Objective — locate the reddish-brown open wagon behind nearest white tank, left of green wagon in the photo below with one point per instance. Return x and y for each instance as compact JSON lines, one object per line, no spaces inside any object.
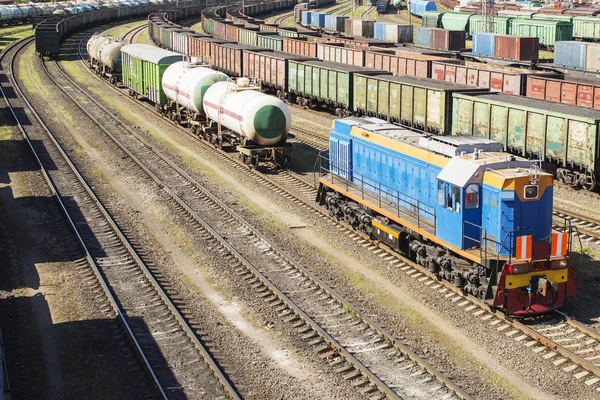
{"x":270,"y":68}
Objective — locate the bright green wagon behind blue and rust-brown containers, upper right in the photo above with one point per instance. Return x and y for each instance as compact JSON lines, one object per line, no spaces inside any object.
{"x":548,"y":32}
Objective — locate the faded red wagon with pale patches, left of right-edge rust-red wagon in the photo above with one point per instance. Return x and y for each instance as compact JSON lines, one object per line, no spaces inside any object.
{"x":488,"y":76}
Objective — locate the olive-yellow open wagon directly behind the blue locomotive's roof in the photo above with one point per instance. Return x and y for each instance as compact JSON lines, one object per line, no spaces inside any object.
{"x":421,"y":103}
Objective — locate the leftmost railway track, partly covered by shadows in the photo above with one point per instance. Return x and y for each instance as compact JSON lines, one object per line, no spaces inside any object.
{"x":144,"y":309}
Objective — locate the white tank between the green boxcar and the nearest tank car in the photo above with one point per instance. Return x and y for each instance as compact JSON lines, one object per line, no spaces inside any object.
{"x":186,"y":84}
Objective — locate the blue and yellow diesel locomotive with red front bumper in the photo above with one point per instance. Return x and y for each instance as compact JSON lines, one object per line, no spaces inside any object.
{"x":460,"y":206}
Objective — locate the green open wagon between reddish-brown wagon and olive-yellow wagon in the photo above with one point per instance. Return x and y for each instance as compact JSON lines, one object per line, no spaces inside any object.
{"x":326,"y":82}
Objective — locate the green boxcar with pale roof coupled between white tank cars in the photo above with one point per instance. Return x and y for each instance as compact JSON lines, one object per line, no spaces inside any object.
{"x":143,"y":67}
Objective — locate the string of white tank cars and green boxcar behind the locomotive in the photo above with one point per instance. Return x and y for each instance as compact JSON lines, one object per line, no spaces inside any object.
{"x":231,"y":114}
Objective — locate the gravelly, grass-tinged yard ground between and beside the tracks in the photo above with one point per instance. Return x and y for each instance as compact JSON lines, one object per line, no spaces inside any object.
{"x":63,"y":339}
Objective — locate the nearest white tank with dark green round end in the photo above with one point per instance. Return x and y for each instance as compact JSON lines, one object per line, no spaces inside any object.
{"x":263,"y":119}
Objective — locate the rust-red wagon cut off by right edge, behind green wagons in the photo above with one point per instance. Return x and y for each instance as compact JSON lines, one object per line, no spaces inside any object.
{"x":582,"y":92}
